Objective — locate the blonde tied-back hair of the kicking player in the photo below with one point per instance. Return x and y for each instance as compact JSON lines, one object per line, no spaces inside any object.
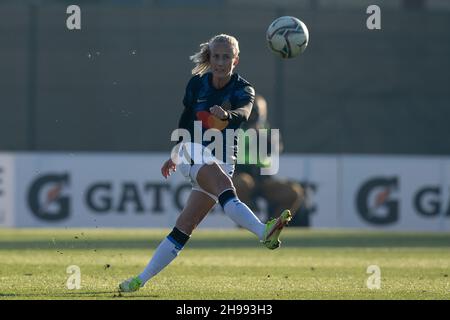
{"x":201,"y":58}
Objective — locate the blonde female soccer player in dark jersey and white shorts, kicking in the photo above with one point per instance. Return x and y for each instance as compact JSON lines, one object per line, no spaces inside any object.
{"x":220,"y":100}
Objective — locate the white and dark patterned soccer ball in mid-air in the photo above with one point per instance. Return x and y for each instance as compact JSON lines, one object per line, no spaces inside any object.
{"x":287,"y":36}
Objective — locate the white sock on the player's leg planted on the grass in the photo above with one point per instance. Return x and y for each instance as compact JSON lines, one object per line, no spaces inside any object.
{"x":167,"y":250}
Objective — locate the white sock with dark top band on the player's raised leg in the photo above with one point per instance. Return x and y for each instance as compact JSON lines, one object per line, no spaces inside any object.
{"x":242,"y":215}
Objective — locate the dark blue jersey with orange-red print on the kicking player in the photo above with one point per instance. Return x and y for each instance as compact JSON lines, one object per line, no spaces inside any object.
{"x":236,"y":98}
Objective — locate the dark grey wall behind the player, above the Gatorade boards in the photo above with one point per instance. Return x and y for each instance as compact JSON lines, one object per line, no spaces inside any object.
{"x":117,"y":84}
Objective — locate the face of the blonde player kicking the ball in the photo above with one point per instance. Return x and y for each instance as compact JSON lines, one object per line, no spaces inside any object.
{"x":222,"y":60}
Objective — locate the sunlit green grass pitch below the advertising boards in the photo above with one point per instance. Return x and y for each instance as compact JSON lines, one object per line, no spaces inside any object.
{"x":227,"y":265}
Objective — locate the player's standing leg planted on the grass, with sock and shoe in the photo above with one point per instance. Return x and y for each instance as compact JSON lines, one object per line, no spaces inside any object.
{"x":197,"y":207}
